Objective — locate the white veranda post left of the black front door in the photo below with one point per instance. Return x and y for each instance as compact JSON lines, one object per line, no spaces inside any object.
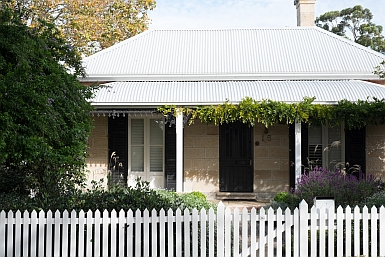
{"x":179,"y":151}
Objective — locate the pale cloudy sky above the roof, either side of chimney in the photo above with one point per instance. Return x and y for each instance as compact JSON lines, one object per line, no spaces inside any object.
{"x":207,"y":14}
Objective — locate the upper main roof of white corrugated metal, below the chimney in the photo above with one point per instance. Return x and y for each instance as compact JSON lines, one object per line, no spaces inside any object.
{"x":233,"y":54}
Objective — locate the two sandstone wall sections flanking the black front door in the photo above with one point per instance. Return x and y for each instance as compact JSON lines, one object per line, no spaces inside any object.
{"x":201,"y":159}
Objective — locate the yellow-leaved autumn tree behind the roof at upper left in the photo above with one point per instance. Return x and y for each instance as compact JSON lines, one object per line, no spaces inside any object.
{"x":89,"y":25}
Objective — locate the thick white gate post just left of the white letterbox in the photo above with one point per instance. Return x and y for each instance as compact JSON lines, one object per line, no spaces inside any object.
{"x":303,"y":228}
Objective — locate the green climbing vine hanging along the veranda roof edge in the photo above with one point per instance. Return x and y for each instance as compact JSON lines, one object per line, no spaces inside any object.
{"x":269,"y":112}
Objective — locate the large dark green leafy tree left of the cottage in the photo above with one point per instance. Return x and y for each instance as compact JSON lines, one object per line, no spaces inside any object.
{"x":44,"y":110}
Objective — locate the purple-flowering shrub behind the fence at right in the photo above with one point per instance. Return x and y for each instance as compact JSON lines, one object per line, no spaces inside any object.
{"x":347,"y":189}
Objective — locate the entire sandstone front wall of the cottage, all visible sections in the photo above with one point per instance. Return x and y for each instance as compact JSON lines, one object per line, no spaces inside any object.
{"x":201,"y":157}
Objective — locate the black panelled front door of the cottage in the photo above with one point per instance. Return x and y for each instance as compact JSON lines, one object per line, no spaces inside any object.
{"x":236,"y":171}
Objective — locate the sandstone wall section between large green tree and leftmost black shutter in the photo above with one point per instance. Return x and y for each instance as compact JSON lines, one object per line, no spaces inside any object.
{"x":97,"y":161}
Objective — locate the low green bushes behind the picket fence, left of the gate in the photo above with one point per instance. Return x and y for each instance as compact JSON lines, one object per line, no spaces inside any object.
{"x":141,"y":197}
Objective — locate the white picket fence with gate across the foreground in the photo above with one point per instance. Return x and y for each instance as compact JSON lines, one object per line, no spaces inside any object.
{"x":224,"y":233}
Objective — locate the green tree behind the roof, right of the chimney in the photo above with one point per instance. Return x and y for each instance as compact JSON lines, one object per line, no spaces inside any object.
{"x":357,"y":21}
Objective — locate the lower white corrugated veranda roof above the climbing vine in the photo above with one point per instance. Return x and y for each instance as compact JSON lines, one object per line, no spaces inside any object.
{"x":159,"y":93}
